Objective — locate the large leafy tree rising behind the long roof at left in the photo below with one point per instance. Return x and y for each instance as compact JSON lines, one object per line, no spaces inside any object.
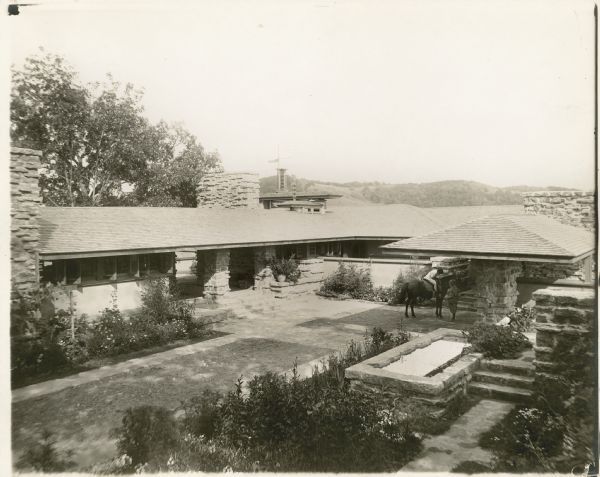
{"x":98,"y":148}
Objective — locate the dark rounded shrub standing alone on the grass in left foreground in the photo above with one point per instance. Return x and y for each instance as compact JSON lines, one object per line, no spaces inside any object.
{"x":147,"y":432}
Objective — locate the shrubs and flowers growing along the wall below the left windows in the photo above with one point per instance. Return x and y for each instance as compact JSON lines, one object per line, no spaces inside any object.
{"x":46,"y":341}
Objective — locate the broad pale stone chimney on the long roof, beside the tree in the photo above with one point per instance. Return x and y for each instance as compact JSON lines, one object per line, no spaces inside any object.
{"x":229,"y":190}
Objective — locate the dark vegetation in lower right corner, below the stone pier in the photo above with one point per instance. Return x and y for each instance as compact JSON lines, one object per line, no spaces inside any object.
{"x":555,"y":433}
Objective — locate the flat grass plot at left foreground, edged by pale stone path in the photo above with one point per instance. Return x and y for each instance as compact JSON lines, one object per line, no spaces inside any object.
{"x":82,"y":417}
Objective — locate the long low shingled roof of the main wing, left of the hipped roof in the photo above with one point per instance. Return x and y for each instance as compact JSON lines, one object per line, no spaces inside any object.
{"x":86,"y":231}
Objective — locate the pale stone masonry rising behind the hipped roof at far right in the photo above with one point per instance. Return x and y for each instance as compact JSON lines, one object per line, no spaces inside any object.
{"x":569,"y":207}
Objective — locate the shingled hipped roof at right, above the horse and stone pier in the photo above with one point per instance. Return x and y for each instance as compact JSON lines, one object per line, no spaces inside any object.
{"x":510,"y":237}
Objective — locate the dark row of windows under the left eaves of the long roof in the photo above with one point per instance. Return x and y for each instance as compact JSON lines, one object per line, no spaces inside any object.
{"x":88,"y":271}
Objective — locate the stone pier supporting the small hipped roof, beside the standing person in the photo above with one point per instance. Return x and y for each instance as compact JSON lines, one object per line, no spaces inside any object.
{"x":495,"y":287}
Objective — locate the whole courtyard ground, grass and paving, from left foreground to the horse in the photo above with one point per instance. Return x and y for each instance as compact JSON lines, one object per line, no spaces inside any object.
{"x":82,"y":409}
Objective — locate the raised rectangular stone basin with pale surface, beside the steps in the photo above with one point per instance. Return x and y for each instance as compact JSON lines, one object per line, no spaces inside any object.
{"x":403,"y":370}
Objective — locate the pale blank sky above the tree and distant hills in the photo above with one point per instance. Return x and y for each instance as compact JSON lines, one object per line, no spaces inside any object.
{"x":393,"y":91}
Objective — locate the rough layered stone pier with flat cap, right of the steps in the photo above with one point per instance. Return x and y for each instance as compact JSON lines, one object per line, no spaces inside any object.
{"x":564,"y":316}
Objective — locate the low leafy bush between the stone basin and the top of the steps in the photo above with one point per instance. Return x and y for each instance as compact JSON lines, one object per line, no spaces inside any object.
{"x":500,"y":342}
